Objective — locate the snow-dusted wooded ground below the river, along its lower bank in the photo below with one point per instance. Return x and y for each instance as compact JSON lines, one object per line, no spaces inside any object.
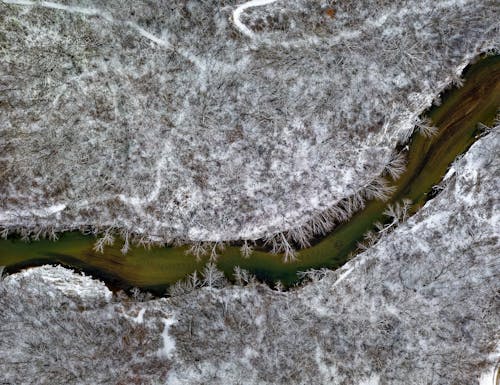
{"x":420,"y":307}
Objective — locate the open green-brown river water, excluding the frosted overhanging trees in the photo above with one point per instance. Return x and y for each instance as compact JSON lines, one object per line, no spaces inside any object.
{"x":428,"y":159}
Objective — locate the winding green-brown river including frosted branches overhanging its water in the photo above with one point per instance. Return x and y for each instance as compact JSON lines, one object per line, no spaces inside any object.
{"x":426,"y":159}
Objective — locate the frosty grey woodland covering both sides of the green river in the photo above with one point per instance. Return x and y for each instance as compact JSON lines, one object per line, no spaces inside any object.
{"x":198,"y":122}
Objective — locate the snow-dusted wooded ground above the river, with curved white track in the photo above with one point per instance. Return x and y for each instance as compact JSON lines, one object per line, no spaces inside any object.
{"x":214,"y":120}
